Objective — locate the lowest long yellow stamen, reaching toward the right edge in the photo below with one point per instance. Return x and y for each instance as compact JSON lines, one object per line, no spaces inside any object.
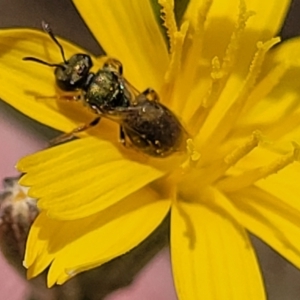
{"x":248,"y":178}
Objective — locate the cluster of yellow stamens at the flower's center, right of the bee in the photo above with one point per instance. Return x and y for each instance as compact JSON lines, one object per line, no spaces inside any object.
{"x":210,"y":110}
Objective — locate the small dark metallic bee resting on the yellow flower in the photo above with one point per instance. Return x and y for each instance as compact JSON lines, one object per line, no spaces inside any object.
{"x":145,"y":123}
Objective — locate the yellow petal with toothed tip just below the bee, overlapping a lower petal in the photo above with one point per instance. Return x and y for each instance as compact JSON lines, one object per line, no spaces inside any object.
{"x":82,"y":177}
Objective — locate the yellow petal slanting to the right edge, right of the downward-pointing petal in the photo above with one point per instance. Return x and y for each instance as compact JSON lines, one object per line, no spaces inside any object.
{"x":272,"y":220}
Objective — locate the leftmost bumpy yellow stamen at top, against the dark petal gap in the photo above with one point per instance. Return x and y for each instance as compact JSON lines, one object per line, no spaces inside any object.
{"x":168,"y":16}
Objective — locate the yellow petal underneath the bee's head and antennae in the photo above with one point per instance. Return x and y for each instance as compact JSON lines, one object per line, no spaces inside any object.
{"x":30,"y":87}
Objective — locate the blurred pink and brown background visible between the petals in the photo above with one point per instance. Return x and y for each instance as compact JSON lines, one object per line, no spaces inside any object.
{"x":20,"y":135}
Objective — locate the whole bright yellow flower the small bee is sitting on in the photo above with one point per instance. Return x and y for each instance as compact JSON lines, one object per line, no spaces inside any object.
{"x":238,"y":99}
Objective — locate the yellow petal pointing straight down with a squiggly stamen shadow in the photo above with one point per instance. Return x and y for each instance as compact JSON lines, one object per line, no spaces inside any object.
{"x":212,"y":256}
